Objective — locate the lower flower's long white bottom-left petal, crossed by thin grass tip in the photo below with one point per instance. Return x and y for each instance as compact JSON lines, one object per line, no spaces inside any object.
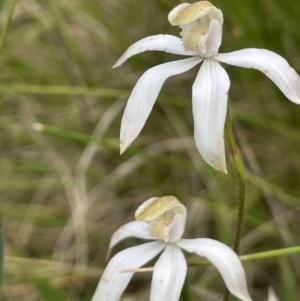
{"x":112,"y":283}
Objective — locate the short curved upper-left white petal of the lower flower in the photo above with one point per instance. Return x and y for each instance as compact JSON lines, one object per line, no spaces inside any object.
{"x":131,"y":229}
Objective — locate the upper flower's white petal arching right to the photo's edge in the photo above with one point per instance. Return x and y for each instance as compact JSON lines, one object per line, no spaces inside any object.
{"x":274,"y":66}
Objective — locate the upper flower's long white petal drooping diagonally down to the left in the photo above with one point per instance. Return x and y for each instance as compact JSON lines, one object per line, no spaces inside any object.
{"x":144,"y":94}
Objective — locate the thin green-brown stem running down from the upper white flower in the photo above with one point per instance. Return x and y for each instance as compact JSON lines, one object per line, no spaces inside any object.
{"x":241,"y":174}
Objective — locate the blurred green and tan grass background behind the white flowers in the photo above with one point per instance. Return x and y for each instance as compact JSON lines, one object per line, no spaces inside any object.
{"x":64,"y":187}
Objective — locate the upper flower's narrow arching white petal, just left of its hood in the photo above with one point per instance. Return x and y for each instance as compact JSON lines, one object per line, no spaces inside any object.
{"x":161,"y":42}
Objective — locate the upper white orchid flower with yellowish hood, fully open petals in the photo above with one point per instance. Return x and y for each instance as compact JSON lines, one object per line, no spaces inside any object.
{"x":201,"y":37}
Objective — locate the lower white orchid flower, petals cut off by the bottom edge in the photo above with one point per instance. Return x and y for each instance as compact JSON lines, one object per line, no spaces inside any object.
{"x":163,"y":219}
